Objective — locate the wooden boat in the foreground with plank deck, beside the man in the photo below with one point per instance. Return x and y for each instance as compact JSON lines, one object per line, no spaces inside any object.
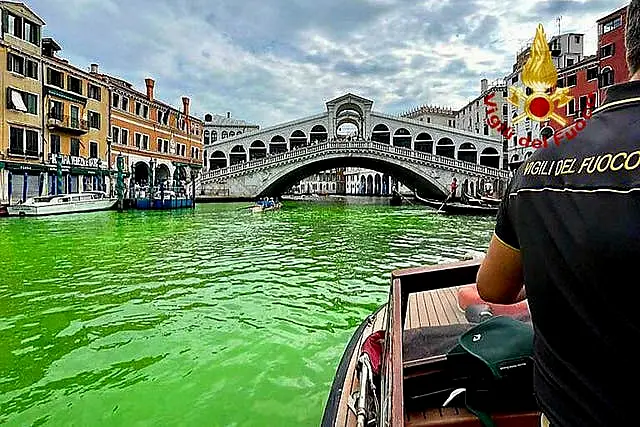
{"x":396,"y":369}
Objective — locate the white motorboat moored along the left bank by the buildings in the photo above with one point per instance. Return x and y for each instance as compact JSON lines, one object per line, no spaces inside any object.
{"x":63,"y":203}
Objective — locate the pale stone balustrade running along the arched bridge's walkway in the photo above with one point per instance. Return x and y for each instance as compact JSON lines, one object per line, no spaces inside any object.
{"x":348,"y":147}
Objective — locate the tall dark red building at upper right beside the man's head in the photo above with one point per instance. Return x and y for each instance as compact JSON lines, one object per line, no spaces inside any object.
{"x":612,"y":53}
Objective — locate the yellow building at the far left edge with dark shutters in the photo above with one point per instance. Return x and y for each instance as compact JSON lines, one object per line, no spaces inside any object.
{"x":23,"y":170}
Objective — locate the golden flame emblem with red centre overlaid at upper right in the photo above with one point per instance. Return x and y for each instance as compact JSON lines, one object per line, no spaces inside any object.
{"x":539,"y":74}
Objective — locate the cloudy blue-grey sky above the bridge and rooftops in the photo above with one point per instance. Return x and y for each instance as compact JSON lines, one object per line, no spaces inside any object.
{"x":269,"y":61}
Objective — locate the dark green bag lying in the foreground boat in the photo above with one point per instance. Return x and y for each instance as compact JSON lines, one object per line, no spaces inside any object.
{"x":497,"y":356}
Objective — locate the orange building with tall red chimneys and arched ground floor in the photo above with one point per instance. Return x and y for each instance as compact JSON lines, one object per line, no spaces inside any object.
{"x":159,"y":144}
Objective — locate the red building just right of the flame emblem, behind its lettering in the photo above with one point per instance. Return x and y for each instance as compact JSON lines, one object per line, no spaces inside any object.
{"x":582,"y":79}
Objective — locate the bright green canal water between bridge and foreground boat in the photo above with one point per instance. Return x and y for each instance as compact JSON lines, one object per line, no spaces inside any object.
{"x":211,"y":317}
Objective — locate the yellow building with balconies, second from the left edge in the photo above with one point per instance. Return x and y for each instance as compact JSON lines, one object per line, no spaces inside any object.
{"x":76,"y":125}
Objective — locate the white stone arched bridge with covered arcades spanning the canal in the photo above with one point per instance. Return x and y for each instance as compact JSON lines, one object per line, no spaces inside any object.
{"x":422,"y":156}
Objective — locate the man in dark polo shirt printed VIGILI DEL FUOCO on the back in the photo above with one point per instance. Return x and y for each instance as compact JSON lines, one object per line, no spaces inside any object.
{"x":569,"y":229}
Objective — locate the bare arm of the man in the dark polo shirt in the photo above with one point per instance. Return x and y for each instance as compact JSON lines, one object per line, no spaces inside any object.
{"x":500,"y":278}
